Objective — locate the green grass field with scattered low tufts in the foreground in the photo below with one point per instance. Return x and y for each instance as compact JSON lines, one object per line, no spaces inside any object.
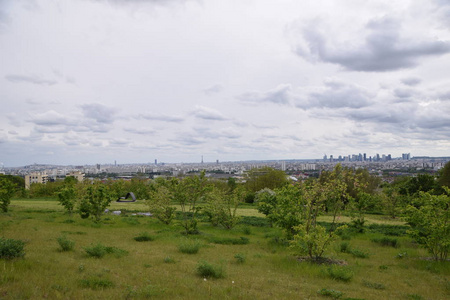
{"x":261,"y":268}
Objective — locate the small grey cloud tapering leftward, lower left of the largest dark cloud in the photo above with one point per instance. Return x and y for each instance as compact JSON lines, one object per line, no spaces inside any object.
{"x":280,"y":95}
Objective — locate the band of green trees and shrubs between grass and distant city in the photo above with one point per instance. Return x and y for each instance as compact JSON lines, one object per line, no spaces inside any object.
{"x":423,"y":201}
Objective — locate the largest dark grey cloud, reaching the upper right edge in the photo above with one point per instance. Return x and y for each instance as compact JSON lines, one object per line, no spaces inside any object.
{"x":383,"y":48}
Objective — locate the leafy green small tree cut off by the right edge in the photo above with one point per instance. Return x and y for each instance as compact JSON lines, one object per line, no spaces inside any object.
{"x":430,"y":224}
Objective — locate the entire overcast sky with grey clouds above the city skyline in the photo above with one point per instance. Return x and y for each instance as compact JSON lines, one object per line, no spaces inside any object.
{"x":94,"y":81}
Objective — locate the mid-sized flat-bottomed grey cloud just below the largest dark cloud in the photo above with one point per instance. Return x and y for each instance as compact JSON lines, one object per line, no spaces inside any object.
{"x":336,"y":94}
